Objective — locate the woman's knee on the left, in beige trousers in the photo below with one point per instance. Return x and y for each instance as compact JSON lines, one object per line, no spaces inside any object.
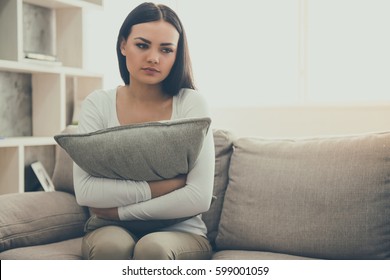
{"x":108,"y":243}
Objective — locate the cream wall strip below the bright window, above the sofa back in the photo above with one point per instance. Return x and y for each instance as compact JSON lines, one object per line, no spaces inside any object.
{"x":302,"y":121}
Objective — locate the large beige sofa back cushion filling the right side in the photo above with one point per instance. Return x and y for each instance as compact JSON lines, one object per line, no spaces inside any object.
{"x":322,"y":198}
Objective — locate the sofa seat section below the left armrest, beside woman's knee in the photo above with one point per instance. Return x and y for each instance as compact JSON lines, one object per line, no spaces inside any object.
{"x":64,"y":250}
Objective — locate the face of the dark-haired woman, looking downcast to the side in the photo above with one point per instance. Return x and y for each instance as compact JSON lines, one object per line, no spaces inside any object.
{"x":150,"y":51}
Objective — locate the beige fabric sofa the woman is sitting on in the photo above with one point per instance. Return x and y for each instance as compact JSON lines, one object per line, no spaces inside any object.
{"x":324,"y":198}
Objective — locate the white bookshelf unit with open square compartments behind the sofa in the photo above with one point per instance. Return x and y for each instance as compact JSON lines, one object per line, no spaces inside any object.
{"x":55,"y":86}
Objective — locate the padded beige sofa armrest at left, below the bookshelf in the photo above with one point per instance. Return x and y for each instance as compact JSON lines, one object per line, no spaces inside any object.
{"x":35,"y":218}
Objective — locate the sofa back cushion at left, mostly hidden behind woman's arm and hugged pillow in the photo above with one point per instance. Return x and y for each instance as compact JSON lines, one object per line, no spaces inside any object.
{"x":63,"y":168}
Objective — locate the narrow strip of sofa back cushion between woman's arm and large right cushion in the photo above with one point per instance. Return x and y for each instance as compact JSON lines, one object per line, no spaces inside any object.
{"x":223,"y":141}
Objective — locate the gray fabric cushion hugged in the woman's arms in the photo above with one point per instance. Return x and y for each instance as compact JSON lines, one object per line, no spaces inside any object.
{"x":148,"y":151}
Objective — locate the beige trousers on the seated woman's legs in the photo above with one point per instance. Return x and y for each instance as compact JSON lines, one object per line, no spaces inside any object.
{"x":113,"y":242}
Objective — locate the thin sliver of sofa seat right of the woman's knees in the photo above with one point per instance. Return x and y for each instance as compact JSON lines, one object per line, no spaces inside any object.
{"x":253,"y":255}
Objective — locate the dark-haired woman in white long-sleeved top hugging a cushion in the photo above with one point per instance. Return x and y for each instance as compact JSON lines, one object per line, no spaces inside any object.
{"x":155,"y":66}
